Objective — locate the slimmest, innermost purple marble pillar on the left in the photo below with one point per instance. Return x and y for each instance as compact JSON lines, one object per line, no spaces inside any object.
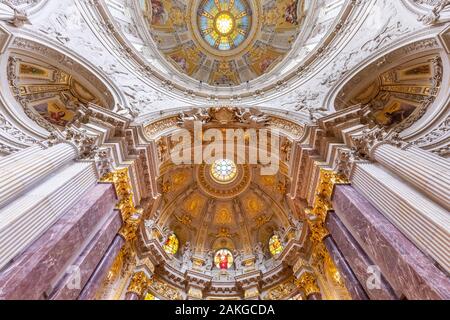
{"x":95,"y":282}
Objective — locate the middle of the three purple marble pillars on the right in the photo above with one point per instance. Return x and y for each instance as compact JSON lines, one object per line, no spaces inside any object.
{"x":357,"y":260}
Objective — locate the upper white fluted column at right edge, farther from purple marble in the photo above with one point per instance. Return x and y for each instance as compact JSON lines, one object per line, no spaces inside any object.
{"x":420,"y":168}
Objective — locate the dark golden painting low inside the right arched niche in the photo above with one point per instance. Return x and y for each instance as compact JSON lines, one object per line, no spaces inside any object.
{"x":394,"y":113}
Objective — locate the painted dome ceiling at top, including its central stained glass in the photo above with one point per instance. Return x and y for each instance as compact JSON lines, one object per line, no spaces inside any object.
{"x":224,"y":42}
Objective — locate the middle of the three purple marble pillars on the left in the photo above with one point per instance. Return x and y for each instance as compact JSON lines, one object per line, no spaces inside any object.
{"x":88,"y":261}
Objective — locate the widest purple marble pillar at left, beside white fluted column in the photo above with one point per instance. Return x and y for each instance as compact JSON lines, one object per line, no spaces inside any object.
{"x":29,"y":276}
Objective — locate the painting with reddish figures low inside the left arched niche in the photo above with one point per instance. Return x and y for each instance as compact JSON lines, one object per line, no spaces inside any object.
{"x":54,"y":111}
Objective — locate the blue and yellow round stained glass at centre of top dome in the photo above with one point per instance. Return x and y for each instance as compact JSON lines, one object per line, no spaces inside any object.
{"x":224,"y":24}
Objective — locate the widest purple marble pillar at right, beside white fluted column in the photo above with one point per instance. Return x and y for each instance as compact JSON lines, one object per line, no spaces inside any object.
{"x":405,"y":267}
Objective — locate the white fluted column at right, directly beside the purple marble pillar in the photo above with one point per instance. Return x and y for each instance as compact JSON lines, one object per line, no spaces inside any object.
{"x":422,"y":220}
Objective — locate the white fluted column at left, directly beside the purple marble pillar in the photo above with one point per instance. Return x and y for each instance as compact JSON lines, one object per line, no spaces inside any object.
{"x":32,"y":213}
